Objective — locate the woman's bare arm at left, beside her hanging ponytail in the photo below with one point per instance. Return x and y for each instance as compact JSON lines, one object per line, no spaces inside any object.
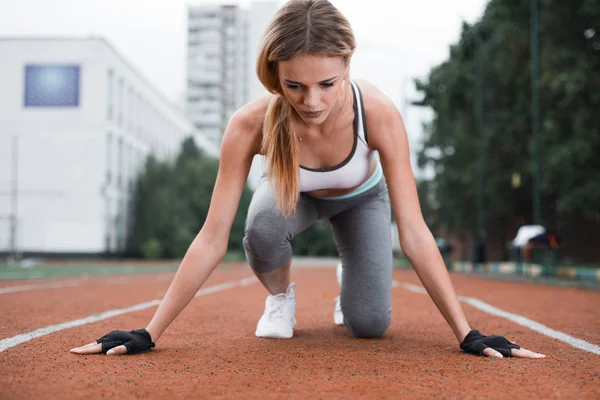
{"x":240,"y":143}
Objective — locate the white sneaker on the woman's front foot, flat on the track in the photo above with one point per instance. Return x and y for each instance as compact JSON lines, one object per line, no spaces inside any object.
{"x":279,"y":318}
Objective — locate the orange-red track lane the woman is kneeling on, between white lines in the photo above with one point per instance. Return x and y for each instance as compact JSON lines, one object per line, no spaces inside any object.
{"x":210,"y":350}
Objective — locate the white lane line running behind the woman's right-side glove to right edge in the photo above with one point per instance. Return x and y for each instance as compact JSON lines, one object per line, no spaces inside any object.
{"x":518,"y":319}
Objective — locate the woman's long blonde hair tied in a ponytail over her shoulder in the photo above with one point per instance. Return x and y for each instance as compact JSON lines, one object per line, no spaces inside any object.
{"x":300,"y":27}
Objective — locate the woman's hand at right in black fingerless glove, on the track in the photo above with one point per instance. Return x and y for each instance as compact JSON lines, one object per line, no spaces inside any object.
{"x":494,"y":346}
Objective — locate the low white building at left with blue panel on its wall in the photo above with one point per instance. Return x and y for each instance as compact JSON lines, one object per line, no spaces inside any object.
{"x":77,"y":121}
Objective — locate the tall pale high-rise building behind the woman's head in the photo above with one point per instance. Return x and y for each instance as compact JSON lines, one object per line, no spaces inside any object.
{"x":222,"y":46}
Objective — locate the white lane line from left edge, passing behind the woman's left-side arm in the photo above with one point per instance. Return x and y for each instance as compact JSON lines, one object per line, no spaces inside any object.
{"x":25,"y":337}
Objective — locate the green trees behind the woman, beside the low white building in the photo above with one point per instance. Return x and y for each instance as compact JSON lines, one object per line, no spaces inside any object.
{"x":171,"y":202}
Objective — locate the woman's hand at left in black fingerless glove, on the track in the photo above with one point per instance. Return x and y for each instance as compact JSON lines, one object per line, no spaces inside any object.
{"x":119,"y":342}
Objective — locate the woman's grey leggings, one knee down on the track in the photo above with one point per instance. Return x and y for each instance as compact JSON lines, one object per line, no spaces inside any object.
{"x":361,"y":228}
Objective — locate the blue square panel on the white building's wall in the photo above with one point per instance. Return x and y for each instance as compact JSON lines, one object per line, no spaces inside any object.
{"x":52,"y":85}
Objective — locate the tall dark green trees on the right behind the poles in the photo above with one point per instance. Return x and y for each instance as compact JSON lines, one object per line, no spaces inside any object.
{"x":569,"y":90}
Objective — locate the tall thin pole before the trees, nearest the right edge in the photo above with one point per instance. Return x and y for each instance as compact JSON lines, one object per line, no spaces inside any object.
{"x":535,"y":112}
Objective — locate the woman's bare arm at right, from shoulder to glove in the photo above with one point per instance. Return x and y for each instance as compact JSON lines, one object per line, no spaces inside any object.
{"x":388,"y":136}
